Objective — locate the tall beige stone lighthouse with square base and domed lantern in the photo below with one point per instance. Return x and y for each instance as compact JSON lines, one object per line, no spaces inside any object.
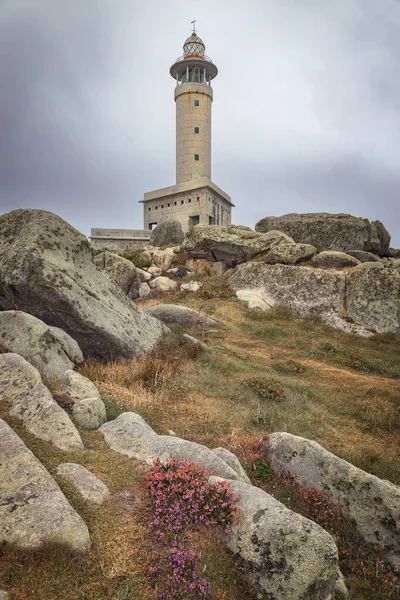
{"x":194,"y":199}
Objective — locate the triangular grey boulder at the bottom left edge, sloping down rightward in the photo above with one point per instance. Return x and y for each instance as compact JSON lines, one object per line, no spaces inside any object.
{"x":33,"y":510}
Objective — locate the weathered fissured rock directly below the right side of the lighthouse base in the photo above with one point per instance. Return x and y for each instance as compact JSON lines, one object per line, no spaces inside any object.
{"x":236,"y":244}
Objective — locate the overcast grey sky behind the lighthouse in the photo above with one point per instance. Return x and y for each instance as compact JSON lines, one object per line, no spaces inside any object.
{"x":306,"y":111}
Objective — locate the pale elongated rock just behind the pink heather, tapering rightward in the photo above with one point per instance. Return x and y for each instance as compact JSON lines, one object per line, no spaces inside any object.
{"x":130,"y":435}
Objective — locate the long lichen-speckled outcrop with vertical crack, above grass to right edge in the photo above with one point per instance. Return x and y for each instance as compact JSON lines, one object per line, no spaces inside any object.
{"x":367,"y":295}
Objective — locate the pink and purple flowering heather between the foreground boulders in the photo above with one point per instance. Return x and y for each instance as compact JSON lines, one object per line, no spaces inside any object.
{"x":181,"y":500}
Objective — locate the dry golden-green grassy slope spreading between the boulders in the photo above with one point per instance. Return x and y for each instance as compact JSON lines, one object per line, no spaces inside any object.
{"x":346,"y":397}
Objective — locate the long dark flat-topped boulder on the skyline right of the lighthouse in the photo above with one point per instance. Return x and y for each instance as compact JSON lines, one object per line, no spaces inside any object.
{"x":327,"y":231}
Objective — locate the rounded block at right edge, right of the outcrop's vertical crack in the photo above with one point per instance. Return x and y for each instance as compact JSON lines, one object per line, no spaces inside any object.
{"x":373,"y":297}
